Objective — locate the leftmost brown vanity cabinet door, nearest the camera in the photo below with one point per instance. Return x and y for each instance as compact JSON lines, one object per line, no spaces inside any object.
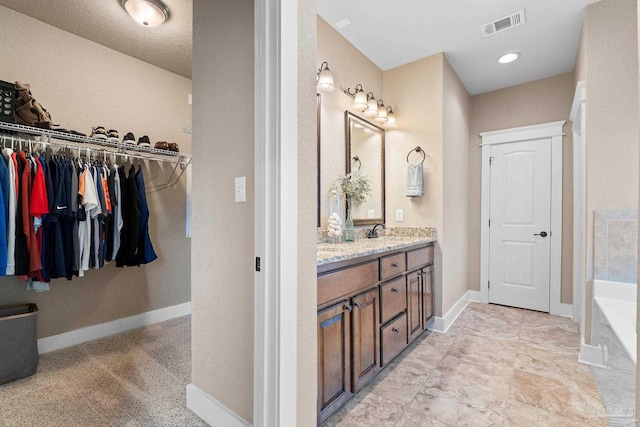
{"x":334,"y":359}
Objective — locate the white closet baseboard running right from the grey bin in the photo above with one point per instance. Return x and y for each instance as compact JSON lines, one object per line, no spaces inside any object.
{"x":93,"y":332}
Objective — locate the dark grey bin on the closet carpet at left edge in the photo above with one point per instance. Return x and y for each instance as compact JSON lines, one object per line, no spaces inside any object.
{"x":18,"y":342}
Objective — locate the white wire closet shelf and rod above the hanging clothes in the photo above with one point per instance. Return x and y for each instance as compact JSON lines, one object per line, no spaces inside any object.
{"x":23,"y":137}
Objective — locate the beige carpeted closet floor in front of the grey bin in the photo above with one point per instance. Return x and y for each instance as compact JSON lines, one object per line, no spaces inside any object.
{"x":133,"y":379}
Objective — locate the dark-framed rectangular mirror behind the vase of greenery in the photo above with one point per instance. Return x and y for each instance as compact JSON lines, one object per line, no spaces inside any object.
{"x":365,"y":154}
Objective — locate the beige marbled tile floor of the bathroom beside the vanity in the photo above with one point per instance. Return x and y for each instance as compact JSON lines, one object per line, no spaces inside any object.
{"x":495,"y":366}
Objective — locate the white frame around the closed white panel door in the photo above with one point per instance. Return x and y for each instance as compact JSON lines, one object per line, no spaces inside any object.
{"x":551,"y":130}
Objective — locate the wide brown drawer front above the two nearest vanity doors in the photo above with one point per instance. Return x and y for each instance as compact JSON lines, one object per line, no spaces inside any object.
{"x":344,"y":282}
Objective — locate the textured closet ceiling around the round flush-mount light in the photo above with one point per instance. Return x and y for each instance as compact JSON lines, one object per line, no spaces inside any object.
{"x":168,"y":46}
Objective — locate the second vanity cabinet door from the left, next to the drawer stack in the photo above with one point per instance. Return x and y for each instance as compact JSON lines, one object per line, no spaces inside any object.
{"x":366,"y":339}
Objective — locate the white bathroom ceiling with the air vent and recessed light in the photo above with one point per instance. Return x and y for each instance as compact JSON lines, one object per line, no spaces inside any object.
{"x":395,"y":33}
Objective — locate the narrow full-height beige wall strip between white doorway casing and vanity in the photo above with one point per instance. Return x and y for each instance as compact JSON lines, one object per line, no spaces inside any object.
{"x":307,"y":354}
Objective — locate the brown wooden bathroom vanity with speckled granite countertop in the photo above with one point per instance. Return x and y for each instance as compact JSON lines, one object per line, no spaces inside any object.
{"x":375,"y":296}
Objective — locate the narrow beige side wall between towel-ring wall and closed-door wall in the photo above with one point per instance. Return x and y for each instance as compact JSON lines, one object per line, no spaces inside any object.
{"x":455,"y":227}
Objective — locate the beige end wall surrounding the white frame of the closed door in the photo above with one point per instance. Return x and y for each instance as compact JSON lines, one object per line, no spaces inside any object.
{"x":541,"y":101}
